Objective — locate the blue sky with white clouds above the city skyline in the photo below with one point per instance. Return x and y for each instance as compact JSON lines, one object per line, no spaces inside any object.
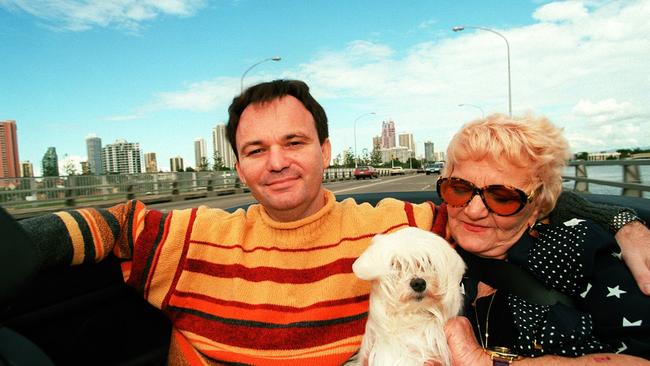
{"x":163,"y":72}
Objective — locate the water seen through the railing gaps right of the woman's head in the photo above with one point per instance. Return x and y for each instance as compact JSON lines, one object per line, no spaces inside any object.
{"x":607,"y":172}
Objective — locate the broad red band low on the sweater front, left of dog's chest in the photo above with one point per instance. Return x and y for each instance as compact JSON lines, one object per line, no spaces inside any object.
{"x":268,"y":338}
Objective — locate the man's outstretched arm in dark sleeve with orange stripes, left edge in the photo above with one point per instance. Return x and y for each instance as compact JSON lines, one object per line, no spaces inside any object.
{"x":65,"y":238}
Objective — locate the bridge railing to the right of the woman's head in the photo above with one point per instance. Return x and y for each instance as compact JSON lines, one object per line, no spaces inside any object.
{"x":632,"y":183}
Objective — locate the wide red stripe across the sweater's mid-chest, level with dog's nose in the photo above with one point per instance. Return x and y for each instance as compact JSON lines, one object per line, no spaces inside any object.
{"x":257,"y":274}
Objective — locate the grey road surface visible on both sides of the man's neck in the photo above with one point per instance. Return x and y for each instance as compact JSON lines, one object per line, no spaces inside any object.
{"x":414,"y":182}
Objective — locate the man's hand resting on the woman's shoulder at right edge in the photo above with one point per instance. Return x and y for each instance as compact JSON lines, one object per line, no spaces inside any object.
{"x":634,"y":240}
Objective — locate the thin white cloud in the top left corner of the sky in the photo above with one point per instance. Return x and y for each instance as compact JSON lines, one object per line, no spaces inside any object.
{"x":81,"y":15}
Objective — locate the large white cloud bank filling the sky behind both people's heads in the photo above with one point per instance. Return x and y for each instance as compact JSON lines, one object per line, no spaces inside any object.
{"x":584,"y":65}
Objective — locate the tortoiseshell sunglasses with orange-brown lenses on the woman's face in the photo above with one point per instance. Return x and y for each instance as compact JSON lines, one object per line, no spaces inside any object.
{"x":498,"y":198}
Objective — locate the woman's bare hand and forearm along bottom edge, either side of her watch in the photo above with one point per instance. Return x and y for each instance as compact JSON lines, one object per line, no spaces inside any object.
{"x":465,"y":351}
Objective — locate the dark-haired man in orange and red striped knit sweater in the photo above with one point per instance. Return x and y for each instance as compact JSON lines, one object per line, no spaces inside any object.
{"x":269,"y":285}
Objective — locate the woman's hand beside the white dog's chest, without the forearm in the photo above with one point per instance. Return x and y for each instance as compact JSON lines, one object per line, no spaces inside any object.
{"x":464,"y":349}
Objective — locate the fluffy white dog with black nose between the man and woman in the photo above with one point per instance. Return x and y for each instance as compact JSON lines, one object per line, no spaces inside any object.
{"x":416,"y":279}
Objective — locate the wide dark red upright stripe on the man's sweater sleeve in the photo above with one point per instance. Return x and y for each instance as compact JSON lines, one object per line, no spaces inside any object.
{"x":143,"y":248}
